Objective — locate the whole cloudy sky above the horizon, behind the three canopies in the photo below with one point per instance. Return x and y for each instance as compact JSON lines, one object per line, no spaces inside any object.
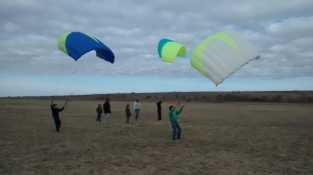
{"x":31,"y":64}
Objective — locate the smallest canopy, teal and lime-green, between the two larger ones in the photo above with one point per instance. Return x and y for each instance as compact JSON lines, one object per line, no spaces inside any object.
{"x":168,"y":50}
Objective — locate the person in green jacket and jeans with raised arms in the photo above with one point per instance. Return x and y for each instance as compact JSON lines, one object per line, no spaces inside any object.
{"x":173,"y":116}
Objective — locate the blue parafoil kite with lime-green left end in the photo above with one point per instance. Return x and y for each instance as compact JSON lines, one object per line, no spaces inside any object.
{"x":76,"y":44}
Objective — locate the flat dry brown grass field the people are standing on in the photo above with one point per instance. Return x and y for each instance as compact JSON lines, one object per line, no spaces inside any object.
{"x":219,"y":139}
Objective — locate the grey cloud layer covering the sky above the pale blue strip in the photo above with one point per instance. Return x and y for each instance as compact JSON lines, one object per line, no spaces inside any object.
{"x":282,"y":30}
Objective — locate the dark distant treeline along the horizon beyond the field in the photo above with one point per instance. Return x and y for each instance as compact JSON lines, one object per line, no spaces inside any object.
{"x":273,"y":96}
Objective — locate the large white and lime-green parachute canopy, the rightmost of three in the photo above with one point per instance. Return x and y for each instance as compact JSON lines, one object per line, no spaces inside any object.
{"x":221,"y":54}
